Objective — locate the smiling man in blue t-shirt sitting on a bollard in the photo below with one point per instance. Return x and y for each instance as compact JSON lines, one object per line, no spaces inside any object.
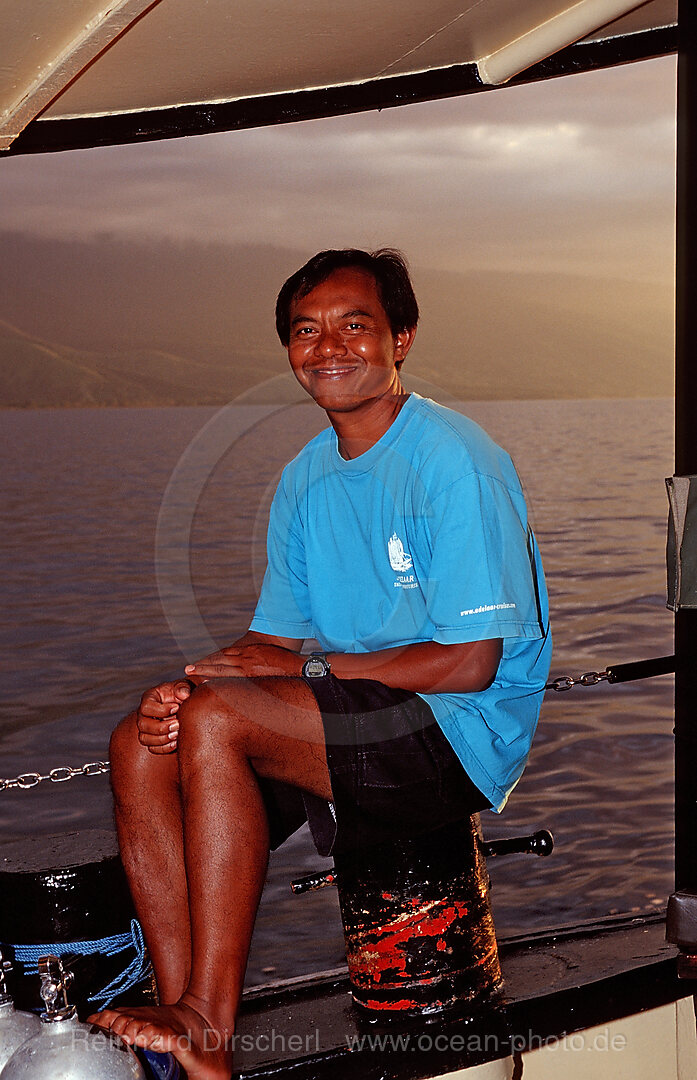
{"x":399,"y":541}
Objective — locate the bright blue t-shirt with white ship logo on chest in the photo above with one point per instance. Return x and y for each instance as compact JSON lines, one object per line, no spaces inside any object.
{"x":423,"y":538}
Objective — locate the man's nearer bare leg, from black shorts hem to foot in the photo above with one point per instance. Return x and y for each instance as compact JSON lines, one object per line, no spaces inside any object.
{"x":231,"y":731}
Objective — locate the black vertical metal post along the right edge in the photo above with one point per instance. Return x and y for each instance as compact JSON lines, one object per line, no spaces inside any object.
{"x":687,"y":441}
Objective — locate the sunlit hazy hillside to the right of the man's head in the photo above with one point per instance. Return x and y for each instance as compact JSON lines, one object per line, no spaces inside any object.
{"x":538,"y":336}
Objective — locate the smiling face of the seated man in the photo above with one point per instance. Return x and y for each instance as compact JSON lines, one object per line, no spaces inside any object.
{"x":343,"y":350}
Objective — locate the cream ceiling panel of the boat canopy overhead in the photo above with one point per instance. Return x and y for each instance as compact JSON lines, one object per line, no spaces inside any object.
{"x":71,"y":59}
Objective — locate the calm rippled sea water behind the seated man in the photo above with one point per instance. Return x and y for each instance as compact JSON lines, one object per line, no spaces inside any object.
{"x":96,"y":611}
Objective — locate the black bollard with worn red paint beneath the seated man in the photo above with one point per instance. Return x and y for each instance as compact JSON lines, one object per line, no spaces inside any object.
{"x":419,"y":928}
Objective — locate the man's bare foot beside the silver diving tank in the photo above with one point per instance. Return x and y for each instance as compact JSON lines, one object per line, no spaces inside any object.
{"x":205,"y":1050}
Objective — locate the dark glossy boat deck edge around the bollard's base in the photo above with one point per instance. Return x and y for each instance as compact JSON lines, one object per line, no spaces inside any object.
{"x":556,"y":983}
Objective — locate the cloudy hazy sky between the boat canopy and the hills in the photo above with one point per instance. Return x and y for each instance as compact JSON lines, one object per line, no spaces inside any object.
{"x":572,"y":174}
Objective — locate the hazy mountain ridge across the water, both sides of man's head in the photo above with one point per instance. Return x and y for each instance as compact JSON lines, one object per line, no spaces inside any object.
{"x":116,"y":323}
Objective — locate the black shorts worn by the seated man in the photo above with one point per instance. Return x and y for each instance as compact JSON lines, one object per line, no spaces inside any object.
{"x":394,"y":773}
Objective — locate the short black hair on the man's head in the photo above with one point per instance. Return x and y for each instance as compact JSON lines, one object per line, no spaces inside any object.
{"x":386,"y":265}
